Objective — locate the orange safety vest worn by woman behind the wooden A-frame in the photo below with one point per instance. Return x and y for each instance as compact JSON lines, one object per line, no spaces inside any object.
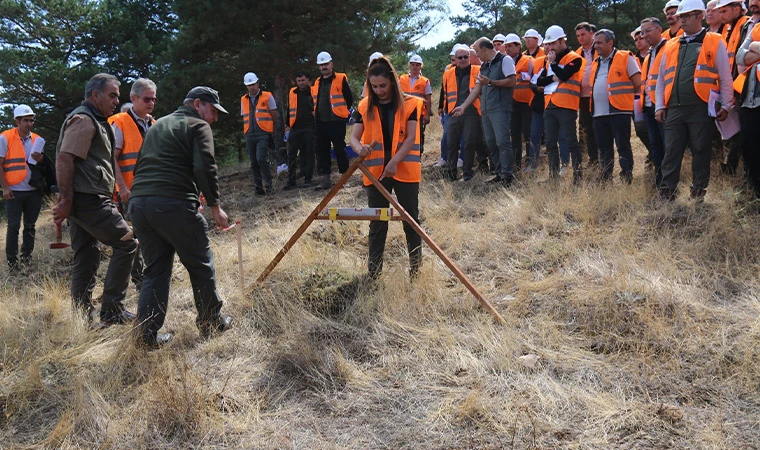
{"x":409,"y":169}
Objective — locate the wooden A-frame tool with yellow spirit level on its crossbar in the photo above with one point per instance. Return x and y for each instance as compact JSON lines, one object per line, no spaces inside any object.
{"x":373,"y":214}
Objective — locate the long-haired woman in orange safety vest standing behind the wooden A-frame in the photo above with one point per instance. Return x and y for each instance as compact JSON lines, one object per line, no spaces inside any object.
{"x":389,"y":118}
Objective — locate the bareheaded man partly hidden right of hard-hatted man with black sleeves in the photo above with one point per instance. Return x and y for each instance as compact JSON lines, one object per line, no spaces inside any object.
{"x":584,"y":32}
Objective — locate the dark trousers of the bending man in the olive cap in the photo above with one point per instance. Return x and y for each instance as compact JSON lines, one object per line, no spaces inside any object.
{"x":168,"y":226}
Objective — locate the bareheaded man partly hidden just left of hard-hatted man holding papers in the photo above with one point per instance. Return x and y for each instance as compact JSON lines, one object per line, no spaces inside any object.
{"x":651,"y":30}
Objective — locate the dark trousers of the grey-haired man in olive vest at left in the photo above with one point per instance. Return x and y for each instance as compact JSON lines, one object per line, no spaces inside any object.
{"x":95,"y":218}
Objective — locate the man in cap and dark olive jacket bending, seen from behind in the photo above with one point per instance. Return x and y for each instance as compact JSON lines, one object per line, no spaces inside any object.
{"x":176,"y":164}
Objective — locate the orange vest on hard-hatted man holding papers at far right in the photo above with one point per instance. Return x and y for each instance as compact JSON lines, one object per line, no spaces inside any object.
{"x":705,"y":74}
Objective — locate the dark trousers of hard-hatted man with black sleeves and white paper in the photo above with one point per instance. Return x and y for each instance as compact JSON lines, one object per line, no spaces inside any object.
{"x":560,"y":123}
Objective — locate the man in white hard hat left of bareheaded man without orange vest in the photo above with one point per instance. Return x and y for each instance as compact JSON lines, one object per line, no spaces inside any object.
{"x":457,"y":83}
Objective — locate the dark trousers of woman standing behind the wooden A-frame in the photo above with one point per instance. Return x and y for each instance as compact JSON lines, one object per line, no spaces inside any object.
{"x":407,"y":195}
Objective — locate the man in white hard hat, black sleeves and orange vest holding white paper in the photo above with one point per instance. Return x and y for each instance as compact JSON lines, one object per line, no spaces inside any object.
{"x":561,"y":79}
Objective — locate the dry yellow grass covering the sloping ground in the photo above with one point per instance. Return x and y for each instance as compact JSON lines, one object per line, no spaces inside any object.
{"x":643,"y":319}
